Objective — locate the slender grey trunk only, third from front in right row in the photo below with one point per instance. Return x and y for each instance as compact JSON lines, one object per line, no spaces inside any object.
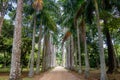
{"x":79,"y":49}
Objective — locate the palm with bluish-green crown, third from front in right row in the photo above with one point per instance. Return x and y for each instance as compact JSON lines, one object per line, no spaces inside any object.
{"x":68,"y":20}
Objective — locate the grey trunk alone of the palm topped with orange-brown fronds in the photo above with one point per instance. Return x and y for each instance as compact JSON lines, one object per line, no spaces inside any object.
{"x":31,"y":72}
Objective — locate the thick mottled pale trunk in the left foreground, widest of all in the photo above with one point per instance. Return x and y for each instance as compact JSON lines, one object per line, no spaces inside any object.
{"x":15,"y":71}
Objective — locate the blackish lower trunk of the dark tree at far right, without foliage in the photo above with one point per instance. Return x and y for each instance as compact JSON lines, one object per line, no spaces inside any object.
{"x":111,"y":54}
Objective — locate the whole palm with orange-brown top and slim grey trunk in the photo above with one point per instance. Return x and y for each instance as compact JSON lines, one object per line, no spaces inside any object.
{"x":37,"y":5}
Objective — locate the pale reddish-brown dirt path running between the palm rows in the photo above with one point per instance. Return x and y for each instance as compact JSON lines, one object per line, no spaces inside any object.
{"x":59,"y":73}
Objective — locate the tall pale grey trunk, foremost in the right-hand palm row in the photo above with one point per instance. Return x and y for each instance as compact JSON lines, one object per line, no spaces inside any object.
{"x":101,"y":50}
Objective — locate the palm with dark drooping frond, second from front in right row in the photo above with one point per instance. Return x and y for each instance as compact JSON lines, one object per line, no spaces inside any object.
{"x":81,"y":12}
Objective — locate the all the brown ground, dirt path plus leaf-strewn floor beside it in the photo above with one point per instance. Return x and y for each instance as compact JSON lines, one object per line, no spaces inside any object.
{"x":59,"y":73}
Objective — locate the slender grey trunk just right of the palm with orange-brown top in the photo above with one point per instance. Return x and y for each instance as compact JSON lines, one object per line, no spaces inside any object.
{"x":39,"y":51}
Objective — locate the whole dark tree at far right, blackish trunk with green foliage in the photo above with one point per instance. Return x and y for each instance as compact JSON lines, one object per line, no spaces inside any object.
{"x":107,"y":6}
